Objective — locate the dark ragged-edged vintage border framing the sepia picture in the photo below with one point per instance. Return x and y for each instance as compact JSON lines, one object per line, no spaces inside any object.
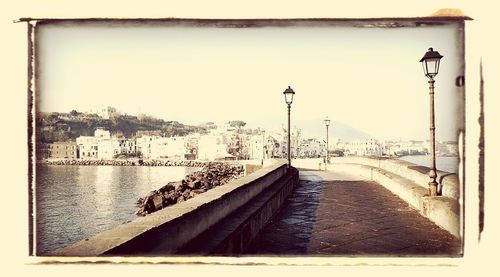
{"x":33,"y":24}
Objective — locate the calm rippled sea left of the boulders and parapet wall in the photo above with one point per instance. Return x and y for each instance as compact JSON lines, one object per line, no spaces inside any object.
{"x":77,"y":202}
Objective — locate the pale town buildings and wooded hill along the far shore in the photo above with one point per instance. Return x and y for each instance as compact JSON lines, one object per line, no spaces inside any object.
{"x":105,"y":134}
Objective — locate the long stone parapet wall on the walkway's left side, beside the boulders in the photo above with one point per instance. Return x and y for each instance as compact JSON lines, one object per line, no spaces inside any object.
{"x":167,"y":230}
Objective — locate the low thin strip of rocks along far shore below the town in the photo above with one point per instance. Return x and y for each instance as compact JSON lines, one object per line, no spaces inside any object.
{"x":186,"y":163}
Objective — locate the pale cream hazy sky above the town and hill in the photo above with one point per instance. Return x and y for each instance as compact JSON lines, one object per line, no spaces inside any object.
{"x":368,"y":78}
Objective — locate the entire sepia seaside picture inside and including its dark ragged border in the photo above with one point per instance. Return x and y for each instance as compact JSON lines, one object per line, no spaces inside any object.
{"x":247,"y":137}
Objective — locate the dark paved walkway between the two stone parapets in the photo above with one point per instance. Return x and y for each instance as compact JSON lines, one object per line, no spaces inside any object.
{"x":332,"y":213}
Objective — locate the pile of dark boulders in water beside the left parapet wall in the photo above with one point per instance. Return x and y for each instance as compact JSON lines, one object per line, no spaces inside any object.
{"x":212,"y":174}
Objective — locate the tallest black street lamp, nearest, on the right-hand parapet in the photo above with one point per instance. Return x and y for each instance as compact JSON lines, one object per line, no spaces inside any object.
{"x":430,"y":64}
